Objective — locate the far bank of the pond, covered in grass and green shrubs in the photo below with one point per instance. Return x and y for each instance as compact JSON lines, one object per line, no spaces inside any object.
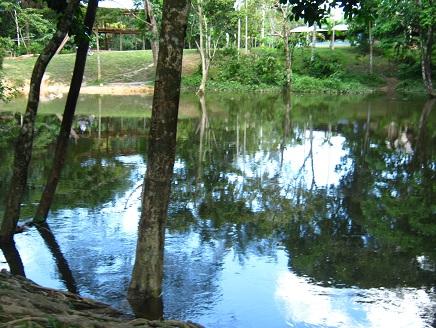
{"x":342,"y":71}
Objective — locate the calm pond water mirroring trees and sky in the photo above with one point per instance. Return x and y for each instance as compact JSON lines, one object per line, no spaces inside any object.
{"x":309,"y":212}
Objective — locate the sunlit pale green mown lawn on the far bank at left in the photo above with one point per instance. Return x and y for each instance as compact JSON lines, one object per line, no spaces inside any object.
{"x":116,"y":67}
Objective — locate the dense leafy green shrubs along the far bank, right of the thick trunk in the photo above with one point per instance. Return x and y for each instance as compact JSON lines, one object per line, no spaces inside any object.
{"x":343,"y":70}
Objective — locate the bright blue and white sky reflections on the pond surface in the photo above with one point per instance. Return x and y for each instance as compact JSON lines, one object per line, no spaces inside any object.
{"x":210,"y":278}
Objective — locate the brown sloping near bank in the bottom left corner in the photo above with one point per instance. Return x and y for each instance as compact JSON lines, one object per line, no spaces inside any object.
{"x":26,"y":304}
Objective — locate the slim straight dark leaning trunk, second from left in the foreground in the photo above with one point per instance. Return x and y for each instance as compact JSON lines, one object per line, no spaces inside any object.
{"x":67,"y":120}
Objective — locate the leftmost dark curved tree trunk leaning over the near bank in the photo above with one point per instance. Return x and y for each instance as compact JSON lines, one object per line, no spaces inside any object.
{"x":23,"y":145}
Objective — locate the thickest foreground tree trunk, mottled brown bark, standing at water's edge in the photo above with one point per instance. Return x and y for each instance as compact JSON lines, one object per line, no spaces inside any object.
{"x":146,"y":285}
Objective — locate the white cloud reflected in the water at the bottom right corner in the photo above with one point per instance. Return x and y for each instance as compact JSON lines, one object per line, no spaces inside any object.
{"x":304,"y":303}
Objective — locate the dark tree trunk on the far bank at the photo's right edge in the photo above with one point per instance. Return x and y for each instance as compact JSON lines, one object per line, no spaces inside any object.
{"x":426,"y":60}
